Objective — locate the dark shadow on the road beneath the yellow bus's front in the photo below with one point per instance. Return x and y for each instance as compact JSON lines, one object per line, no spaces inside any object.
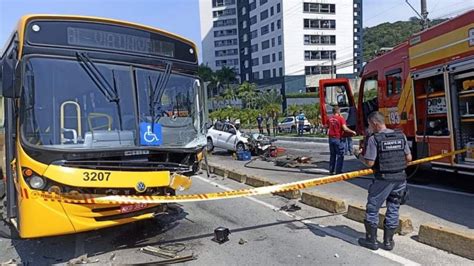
{"x":61,"y":249}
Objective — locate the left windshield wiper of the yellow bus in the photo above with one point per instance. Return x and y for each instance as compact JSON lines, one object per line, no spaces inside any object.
{"x":110,"y":92}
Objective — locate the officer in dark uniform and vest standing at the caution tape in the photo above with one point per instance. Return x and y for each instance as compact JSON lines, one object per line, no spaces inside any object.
{"x":387,"y":152}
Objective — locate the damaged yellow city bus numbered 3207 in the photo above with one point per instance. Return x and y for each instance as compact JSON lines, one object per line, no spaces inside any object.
{"x":87,"y":110}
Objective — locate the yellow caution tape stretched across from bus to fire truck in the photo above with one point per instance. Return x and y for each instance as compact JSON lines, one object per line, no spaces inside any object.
{"x":137,"y":199}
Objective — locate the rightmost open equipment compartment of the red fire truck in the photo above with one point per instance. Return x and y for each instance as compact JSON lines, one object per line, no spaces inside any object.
{"x":461,"y":81}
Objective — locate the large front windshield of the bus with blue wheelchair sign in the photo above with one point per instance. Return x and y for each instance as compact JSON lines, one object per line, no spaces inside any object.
{"x":68,"y":104}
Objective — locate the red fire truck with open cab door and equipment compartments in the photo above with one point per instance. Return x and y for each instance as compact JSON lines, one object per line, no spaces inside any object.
{"x":424,"y":87}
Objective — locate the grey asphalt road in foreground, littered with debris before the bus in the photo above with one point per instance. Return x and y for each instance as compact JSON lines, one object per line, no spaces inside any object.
{"x":267,"y":236}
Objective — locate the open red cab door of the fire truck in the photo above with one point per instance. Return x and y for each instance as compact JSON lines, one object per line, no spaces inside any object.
{"x":337,"y":92}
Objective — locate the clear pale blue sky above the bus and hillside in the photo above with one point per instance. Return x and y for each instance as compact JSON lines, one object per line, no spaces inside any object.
{"x":182,"y":16}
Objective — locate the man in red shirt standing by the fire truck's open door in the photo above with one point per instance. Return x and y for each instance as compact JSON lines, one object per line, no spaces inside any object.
{"x":336,"y":128}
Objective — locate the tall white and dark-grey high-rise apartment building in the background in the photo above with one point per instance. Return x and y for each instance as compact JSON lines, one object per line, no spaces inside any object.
{"x":287,"y":45}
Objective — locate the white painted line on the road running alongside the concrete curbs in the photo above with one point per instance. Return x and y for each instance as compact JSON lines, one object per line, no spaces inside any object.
{"x":329,"y":231}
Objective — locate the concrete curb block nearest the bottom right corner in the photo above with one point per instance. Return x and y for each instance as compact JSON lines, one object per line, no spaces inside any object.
{"x":452,"y":240}
